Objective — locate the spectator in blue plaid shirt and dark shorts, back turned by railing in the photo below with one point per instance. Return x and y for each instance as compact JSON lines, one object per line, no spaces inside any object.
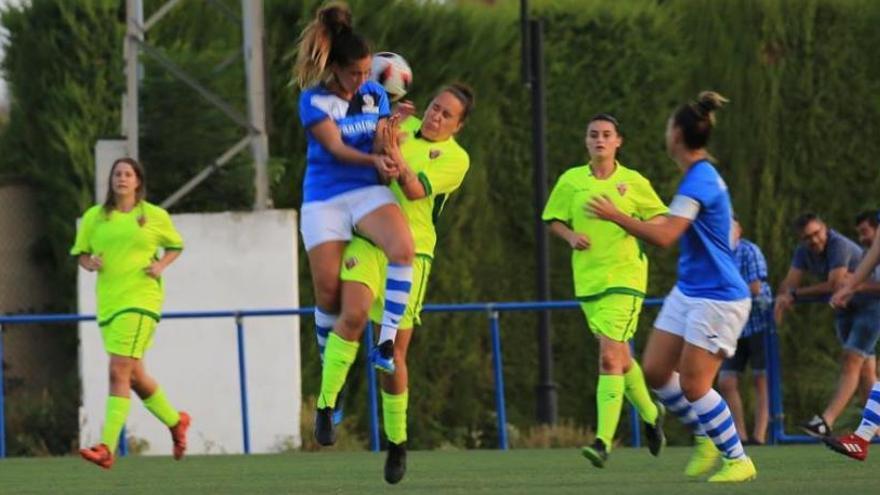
{"x":750,"y":347}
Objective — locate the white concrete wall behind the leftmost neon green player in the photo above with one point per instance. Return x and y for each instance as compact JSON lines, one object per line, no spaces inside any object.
{"x":230,"y":261}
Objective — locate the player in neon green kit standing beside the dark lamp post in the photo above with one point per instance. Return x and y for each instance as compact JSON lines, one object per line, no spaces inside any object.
{"x":610,"y":276}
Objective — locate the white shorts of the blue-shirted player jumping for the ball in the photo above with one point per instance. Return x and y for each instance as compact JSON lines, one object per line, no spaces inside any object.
{"x":334,"y":219}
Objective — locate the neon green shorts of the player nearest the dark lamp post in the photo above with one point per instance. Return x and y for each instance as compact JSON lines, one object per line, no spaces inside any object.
{"x":615,"y":316}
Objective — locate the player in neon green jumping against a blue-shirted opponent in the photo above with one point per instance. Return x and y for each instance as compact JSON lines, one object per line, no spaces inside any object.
{"x":432,"y":166}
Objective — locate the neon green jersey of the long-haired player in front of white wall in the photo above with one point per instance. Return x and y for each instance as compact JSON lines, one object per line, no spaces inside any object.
{"x":127,"y":244}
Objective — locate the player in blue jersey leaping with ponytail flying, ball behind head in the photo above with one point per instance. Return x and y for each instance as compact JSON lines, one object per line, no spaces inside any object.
{"x":343,"y":114}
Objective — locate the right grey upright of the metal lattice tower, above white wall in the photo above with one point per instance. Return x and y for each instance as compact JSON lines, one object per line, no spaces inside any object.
{"x":252,"y":20}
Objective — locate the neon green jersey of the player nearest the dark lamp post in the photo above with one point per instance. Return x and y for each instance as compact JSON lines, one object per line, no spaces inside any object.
{"x":614,"y":262}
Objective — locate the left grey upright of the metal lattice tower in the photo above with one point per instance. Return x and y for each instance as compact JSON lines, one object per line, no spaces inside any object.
{"x":134,"y":18}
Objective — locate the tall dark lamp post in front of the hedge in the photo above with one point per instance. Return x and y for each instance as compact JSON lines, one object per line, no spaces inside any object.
{"x":546,"y":389}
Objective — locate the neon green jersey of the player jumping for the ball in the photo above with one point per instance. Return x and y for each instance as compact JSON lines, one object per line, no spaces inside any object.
{"x":441,"y":167}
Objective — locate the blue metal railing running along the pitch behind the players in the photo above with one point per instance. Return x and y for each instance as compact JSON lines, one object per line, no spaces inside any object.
{"x":492,"y":310}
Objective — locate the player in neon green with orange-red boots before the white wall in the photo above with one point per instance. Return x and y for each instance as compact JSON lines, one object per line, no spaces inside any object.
{"x":120,"y":240}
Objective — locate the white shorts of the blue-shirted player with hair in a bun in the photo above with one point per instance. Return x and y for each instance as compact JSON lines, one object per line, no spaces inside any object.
{"x":707,"y":323}
